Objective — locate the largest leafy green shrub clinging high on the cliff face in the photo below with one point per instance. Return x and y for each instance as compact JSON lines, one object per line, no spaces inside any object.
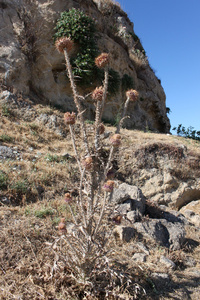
{"x":81,"y":29}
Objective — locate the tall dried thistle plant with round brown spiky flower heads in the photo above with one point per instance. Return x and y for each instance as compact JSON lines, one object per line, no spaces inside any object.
{"x":93,"y":206}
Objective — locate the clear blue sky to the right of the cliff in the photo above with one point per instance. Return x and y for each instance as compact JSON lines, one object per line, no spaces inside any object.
{"x":170,"y":34}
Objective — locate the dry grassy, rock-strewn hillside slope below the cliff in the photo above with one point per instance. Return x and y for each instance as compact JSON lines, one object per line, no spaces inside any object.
{"x":37,"y":167}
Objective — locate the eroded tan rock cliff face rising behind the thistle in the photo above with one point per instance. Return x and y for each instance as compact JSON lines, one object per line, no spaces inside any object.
{"x":30,"y":63}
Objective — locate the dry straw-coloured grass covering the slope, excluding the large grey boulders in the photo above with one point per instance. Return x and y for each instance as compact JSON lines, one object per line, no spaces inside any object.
{"x":33,"y":254}
